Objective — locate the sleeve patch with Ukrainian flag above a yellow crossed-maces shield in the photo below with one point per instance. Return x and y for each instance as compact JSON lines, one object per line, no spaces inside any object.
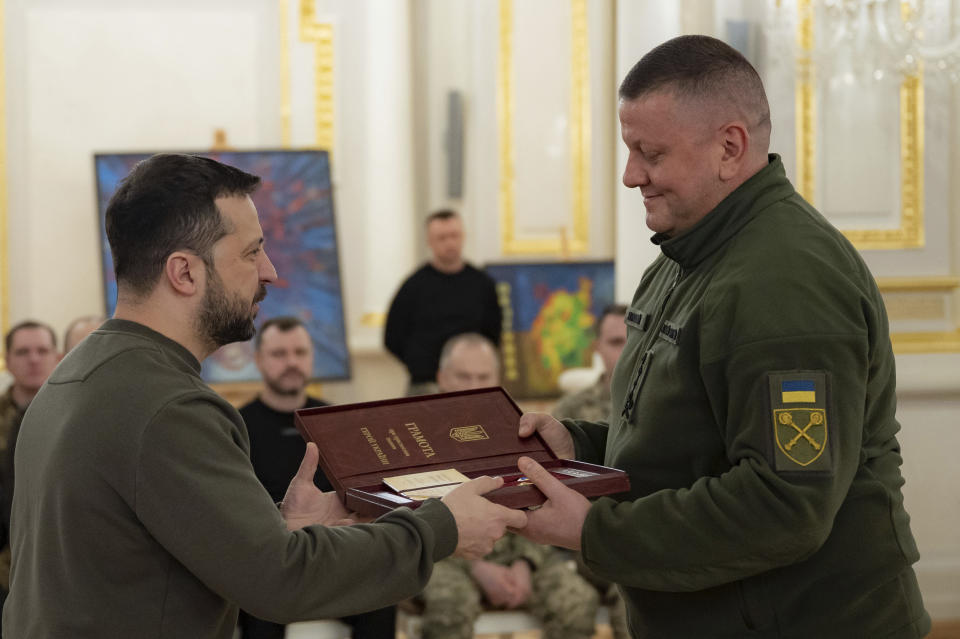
{"x":800,"y":423}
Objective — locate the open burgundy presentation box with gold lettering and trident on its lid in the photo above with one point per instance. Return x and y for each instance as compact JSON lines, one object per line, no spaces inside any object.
{"x":474,"y":432}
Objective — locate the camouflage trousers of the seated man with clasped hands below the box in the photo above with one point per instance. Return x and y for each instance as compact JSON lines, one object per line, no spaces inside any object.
{"x":562,"y":600}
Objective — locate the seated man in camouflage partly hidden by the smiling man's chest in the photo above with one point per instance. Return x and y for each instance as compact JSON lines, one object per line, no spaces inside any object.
{"x":592,"y":404}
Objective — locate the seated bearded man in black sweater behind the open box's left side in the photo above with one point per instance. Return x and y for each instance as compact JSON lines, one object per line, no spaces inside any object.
{"x":283,"y":352}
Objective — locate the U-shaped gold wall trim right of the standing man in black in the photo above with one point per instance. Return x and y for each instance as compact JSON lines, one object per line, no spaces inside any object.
{"x":560,"y":244}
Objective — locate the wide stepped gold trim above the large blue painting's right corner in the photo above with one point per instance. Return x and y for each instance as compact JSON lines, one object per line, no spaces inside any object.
{"x":321,"y":35}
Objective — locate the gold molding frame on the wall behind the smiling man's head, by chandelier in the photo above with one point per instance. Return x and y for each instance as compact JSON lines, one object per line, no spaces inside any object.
{"x":909,"y":233}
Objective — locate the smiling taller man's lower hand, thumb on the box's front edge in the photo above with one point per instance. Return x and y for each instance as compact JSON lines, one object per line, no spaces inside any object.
{"x":559,"y":521}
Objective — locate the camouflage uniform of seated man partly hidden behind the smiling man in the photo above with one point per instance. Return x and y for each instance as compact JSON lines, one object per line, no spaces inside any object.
{"x":592,"y":404}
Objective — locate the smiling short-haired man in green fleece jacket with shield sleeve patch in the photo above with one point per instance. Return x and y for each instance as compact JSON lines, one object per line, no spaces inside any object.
{"x":754,"y":404}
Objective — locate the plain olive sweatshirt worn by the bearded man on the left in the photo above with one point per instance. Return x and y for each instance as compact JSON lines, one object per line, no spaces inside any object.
{"x":137,"y":512}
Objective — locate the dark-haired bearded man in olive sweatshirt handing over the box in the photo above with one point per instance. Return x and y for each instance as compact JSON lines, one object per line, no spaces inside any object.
{"x":137,"y":512}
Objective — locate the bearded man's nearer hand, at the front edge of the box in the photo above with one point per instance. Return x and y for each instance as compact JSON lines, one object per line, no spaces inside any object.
{"x":480,"y":522}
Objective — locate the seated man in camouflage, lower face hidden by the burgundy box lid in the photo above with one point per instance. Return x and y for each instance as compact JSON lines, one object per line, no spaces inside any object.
{"x":518,"y":573}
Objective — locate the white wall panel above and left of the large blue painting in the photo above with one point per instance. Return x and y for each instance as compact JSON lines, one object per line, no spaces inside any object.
{"x":114,"y":76}
